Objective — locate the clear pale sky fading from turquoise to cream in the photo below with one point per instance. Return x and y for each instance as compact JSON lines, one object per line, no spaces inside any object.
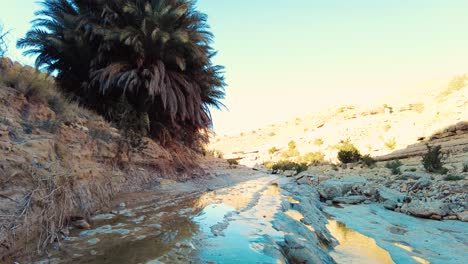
{"x":285,"y":58}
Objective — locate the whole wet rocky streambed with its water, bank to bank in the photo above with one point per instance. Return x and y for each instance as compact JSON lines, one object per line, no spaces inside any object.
{"x":253,"y":217}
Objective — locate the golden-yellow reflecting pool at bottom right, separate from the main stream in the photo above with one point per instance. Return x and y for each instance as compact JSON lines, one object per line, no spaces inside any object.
{"x":354,"y":247}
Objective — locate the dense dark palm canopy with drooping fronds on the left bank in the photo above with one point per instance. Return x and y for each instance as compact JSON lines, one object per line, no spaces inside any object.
{"x":153,"y":54}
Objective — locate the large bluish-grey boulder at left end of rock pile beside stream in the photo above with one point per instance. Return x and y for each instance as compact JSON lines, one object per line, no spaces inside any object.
{"x":333,"y":188}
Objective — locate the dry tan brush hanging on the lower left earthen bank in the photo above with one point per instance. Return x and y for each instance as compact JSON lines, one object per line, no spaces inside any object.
{"x":47,"y":209}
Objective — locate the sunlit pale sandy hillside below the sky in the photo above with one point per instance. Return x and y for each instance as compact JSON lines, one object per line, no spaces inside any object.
{"x":379,"y":128}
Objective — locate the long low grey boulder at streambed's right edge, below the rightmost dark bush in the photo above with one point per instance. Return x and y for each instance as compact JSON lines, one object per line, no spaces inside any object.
{"x":426,"y":209}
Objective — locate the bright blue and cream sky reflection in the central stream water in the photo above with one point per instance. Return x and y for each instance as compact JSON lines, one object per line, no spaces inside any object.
{"x":234,"y":232}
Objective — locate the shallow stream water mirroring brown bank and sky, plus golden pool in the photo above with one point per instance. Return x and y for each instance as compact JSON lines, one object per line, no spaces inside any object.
{"x":237,"y":224}
